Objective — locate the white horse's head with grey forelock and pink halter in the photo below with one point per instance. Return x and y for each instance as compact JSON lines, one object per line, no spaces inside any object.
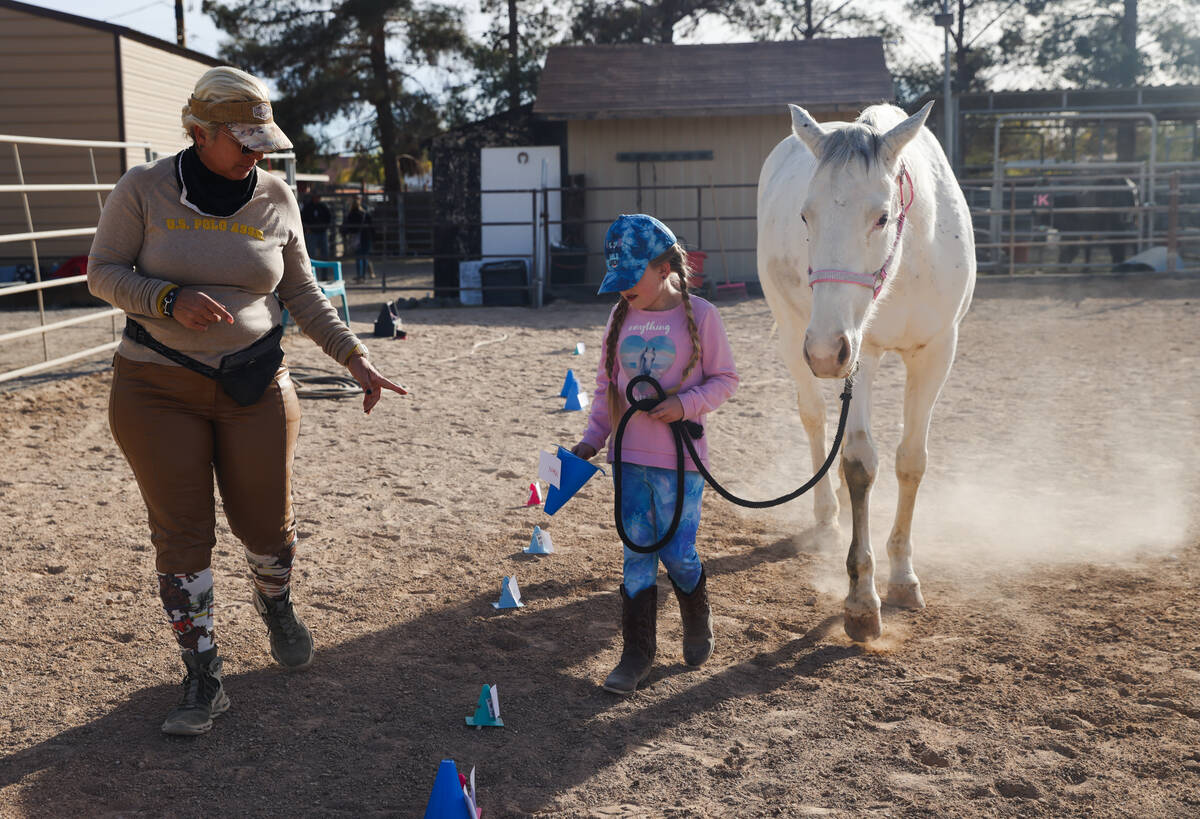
{"x":854,"y":213}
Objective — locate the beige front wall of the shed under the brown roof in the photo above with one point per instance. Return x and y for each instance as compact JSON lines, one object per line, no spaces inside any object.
{"x":740,"y":145}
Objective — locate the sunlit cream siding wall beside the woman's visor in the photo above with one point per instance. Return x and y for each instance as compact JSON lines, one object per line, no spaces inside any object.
{"x":158,"y":85}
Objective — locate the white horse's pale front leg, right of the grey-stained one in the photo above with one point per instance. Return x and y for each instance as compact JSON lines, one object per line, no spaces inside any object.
{"x":927,"y":370}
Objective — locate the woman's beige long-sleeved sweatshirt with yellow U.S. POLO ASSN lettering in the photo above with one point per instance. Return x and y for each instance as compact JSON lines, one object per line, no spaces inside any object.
{"x":148,"y":240}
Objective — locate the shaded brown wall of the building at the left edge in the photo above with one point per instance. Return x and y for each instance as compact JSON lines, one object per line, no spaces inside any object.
{"x":59,"y":81}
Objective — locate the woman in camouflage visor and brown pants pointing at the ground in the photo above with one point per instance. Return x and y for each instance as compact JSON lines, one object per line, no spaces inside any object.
{"x":195,"y":249}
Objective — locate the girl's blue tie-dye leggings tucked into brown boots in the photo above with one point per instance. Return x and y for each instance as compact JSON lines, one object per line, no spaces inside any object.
{"x":647,"y":506}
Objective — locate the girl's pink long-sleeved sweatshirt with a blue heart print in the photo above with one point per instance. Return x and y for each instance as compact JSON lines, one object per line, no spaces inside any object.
{"x":658,"y":344}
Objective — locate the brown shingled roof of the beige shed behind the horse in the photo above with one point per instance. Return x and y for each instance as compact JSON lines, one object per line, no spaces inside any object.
{"x":651,"y":81}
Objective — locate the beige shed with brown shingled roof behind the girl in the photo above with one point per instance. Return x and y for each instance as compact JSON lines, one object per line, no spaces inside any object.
{"x":682,"y":131}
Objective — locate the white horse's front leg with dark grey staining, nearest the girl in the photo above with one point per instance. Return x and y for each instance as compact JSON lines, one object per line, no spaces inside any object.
{"x":860,"y":464}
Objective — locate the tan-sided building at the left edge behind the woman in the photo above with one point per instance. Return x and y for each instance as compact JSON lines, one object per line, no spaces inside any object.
{"x":76,"y":79}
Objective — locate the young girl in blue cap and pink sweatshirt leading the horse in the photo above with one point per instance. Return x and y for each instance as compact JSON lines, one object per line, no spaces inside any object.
{"x":657,"y":330}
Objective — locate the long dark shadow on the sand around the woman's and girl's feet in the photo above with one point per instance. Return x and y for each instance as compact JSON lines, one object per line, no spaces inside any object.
{"x":363,"y":731}
